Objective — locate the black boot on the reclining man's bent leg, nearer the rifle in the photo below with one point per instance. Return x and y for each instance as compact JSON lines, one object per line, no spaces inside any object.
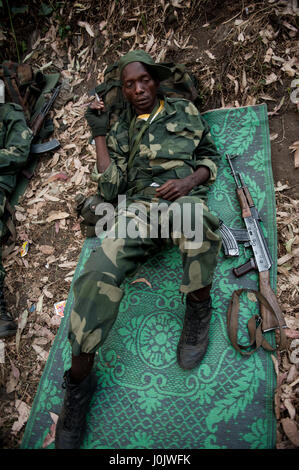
{"x":194,"y":338}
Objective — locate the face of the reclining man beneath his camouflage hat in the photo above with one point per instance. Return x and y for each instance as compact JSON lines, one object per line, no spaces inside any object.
{"x":139,"y":88}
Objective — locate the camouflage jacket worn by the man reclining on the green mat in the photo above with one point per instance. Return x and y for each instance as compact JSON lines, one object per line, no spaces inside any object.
{"x":175,"y":144}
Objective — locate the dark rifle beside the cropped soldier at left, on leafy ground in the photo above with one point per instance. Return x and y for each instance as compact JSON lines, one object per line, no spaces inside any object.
{"x":36,"y":125}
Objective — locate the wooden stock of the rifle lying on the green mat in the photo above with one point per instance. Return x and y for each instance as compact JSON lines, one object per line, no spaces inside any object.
{"x":269,"y":321}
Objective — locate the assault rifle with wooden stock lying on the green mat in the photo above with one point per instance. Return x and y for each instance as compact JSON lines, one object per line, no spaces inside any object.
{"x":252,"y":236}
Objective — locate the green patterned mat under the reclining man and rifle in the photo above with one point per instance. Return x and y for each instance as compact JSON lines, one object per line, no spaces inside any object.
{"x":143,"y":399}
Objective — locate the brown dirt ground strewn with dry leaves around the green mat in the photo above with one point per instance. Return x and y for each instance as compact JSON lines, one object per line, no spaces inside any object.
{"x":228,"y":48}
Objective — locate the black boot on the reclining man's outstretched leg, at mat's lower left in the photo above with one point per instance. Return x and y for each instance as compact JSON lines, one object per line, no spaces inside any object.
{"x":70,"y":427}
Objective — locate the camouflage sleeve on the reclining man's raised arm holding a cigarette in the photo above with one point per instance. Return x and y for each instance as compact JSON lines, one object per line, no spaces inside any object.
{"x":113,"y":180}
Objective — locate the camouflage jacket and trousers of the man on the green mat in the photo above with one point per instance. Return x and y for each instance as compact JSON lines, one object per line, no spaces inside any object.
{"x":175,"y":144}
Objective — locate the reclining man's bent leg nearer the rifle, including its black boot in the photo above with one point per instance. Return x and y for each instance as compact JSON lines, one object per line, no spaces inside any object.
{"x":199,"y":263}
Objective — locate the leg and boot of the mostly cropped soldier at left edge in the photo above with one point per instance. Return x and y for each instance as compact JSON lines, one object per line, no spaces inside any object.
{"x":7,"y":325}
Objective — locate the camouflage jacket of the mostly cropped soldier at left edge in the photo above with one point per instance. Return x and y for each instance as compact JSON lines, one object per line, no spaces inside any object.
{"x":15,"y":142}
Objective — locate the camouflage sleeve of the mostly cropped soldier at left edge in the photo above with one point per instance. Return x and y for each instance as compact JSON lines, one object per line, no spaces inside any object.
{"x":16,"y":142}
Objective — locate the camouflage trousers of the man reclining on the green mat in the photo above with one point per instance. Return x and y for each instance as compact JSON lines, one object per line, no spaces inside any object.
{"x":97,"y":291}
